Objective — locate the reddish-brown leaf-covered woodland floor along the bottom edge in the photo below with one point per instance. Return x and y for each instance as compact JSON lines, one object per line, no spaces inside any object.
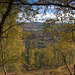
{"x":59,"y":71}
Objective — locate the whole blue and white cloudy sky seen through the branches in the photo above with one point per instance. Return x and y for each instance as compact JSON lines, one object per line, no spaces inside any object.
{"x":50,"y":14}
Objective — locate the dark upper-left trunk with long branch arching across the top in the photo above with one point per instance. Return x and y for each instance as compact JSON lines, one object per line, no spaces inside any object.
{"x":66,"y":4}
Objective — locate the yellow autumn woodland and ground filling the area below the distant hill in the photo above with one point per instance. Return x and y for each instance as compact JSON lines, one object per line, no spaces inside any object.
{"x":39,"y":54}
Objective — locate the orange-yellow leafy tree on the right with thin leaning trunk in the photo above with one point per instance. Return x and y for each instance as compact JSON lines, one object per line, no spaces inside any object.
{"x":63,"y":35}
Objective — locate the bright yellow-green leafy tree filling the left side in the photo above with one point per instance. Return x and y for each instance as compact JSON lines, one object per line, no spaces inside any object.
{"x":12,"y":47}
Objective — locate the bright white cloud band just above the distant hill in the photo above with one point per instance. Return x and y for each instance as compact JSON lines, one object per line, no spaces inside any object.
{"x":49,"y":15}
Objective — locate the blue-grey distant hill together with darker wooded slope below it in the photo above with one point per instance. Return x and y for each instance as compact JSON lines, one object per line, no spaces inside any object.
{"x":39,"y":40}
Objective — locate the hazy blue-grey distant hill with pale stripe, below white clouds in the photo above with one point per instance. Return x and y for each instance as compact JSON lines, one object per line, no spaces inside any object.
{"x":33,"y":27}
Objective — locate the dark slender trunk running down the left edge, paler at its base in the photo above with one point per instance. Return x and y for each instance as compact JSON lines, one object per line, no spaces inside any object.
{"x":1,"y":28}
